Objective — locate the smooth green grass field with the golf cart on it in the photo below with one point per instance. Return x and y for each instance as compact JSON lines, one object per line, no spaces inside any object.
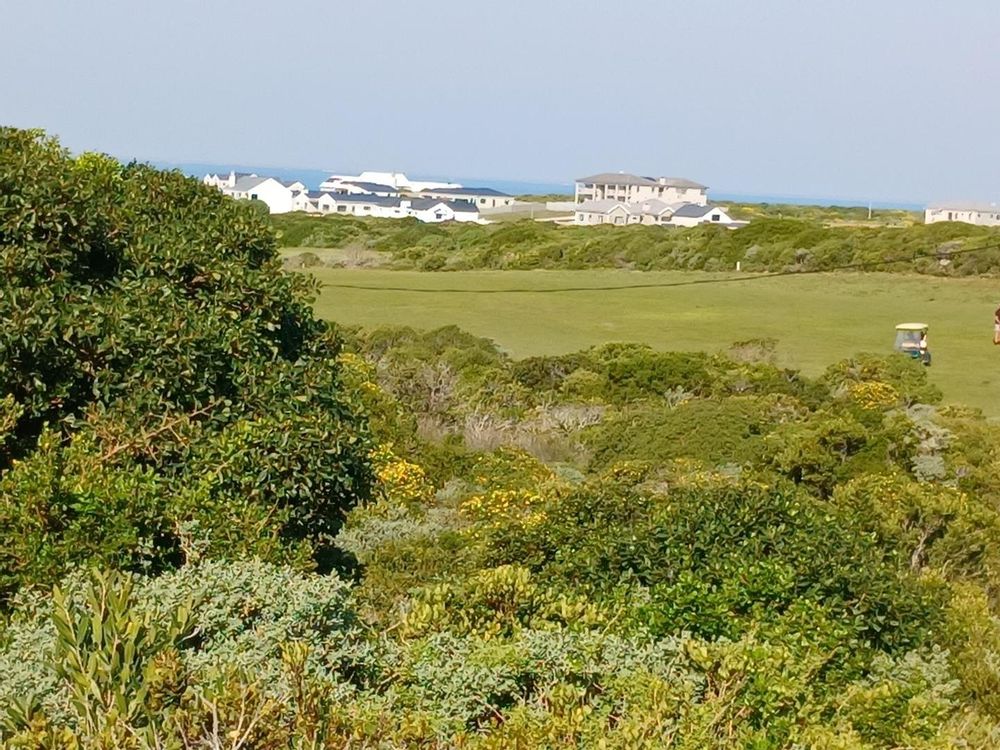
{"x":816,"y":319}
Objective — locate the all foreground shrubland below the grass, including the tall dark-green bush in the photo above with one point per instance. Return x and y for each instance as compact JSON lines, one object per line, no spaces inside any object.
{"x":226,"y":524}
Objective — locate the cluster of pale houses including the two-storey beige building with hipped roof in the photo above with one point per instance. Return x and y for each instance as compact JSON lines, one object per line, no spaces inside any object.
{"x":621,"y":199}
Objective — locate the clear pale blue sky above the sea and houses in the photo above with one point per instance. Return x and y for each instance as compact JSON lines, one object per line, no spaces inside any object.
{"x":880,"y":99}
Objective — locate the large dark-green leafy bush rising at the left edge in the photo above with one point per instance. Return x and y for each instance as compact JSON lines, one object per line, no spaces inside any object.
{"x":166,"y":389}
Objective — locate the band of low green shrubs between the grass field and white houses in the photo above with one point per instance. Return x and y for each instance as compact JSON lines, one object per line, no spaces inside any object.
{"x":767,"y":244}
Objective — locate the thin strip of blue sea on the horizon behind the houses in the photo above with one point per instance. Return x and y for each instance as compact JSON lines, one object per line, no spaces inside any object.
{"x":313,"y":177}
